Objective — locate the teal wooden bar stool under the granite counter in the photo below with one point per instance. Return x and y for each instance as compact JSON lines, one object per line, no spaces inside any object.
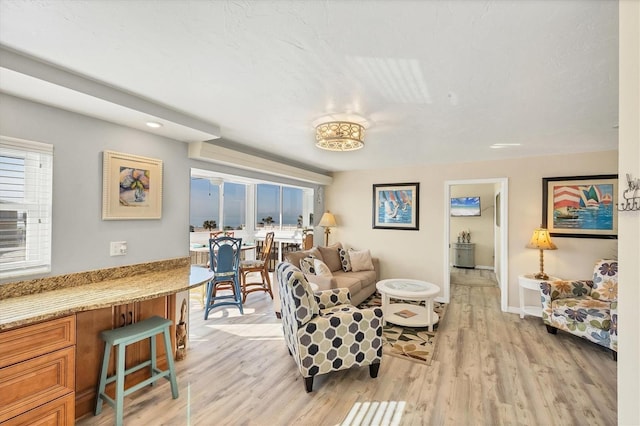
{"x":121,"y":337}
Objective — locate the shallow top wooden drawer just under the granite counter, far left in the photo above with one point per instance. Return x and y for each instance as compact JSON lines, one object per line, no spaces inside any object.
{"x":34,"y":340}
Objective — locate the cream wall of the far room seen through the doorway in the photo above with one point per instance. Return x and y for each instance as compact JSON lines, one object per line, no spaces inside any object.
{"x":481,"y":227}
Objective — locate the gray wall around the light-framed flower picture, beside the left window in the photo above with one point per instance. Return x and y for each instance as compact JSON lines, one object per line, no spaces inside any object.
{"x":80,"y":237}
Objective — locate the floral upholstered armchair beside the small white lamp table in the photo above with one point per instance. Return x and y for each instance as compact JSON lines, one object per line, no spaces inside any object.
{"x":586,"y":308}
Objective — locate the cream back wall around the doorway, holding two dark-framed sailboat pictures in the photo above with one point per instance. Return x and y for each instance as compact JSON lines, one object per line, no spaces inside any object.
{"x":419,"y":254}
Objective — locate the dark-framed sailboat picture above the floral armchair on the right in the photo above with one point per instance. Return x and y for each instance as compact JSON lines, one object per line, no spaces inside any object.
{"x":581,"y":206}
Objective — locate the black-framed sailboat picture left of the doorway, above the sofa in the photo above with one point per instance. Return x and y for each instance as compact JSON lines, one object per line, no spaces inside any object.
{"x":396,"y":206}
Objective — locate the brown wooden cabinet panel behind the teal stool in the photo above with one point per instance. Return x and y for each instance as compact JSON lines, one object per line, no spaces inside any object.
{"x":90,"y":346}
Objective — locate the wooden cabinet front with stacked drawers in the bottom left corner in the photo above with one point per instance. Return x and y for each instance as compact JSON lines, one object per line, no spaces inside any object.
{"x":37,"y":373}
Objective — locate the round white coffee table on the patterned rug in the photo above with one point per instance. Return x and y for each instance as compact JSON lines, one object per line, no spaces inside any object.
{"x":404,"y":313}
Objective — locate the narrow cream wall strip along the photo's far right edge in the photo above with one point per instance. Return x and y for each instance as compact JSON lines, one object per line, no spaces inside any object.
{"x":629,"y":222}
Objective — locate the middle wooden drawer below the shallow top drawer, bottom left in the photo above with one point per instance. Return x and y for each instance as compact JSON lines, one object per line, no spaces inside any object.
{"x":28,"y":384}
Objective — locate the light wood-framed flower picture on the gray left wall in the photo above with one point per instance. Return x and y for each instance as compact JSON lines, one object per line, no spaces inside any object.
{"x":131,"y":187}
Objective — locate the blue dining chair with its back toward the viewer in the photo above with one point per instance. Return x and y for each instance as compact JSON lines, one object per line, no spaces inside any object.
{"x":224,"y":261}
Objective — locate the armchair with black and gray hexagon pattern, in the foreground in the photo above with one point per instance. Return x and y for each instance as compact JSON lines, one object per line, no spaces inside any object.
{"x":323,"y":331}
